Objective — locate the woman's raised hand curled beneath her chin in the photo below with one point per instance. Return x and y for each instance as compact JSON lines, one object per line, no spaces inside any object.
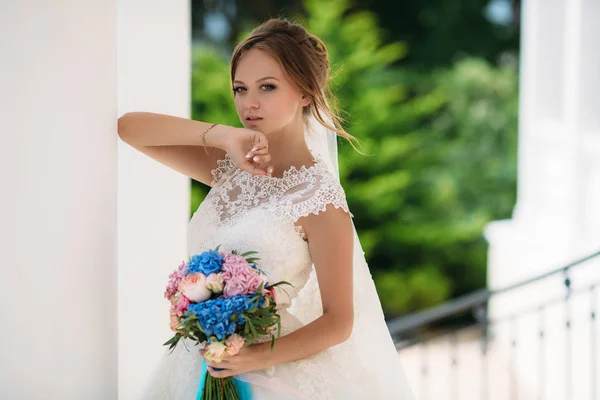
{"x":249,"y":150}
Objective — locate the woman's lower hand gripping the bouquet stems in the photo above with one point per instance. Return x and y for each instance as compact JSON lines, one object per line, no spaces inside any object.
{"x":250,"y":358}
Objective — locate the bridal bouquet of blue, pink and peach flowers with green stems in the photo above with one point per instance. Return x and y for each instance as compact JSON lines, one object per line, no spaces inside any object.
{"x":223,"y":302}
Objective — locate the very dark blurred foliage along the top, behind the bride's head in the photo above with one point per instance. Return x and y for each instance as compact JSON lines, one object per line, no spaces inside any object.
{"x":434,"y":31}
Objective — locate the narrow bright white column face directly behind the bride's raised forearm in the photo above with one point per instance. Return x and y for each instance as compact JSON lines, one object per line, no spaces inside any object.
{"x":154,"y":75}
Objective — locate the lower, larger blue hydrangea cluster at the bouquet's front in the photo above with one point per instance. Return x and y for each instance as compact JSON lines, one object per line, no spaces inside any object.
{"x":214,"y":315}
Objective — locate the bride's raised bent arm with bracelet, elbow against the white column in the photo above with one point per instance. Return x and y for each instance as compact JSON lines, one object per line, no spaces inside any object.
{"x":177,"y":143}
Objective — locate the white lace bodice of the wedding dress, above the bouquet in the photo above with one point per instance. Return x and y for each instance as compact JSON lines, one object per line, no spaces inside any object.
{"x":251,"y":212}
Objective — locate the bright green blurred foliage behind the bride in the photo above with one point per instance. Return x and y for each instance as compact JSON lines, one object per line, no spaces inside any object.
{"x":442,"y":153}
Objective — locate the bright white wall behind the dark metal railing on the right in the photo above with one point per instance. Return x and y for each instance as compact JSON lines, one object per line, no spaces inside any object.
{"x":557,"y":216}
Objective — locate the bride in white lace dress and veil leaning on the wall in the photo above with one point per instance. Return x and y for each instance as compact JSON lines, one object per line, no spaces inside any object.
{"x":275,"y":189}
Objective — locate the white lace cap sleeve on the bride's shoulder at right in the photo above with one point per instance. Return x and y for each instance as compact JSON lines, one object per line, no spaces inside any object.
{"x":313,"y":195}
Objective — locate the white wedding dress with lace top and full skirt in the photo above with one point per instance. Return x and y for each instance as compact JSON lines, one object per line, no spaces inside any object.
{"x":249,"y":212}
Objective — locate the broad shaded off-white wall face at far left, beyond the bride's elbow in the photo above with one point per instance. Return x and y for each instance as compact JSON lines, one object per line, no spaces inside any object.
{"x":59,"y":175}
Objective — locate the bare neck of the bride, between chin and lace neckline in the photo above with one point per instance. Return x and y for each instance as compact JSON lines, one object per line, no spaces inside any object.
{"x":288,"y":148}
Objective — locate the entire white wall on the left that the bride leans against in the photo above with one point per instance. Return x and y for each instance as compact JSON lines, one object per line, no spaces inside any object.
{"x":61,"y":92}
